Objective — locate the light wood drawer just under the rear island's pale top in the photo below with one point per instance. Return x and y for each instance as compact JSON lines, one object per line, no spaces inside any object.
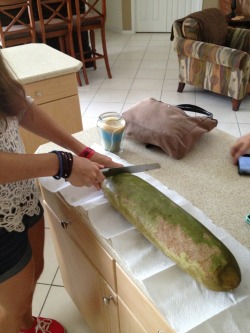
{"x":52,"y":89}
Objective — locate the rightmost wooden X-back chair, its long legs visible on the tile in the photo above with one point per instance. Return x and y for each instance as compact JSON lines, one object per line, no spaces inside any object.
{"x":90,"y":15}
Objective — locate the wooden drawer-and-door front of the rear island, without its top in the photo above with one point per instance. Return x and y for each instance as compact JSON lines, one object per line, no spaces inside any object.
{"x":58,"y":97}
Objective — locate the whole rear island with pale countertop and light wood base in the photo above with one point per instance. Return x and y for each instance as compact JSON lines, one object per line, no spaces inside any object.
{"x":49,"y":77}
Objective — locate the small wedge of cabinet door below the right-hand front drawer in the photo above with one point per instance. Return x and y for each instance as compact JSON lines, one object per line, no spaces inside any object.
{"x":128,"y":322}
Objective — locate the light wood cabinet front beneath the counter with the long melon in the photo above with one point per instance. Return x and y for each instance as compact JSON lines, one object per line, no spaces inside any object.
{"x":104,"y":294}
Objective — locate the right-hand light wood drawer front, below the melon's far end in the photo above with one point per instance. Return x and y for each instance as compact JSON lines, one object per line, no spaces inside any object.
{"x":141,"y":307}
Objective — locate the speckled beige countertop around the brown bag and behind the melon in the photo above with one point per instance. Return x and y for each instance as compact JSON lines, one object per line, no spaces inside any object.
{"x":206,"y":177}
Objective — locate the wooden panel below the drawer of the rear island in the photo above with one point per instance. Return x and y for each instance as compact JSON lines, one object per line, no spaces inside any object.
{"x":66,"y":112}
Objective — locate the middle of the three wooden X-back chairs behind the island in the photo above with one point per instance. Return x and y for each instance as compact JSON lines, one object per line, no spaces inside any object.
{"x":55,"y":22}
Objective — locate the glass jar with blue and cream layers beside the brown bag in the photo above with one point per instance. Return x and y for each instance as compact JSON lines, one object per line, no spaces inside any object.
{"x":111,"y":127}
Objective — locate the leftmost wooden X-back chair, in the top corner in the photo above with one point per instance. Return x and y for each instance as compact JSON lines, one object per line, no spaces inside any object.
{"x":16,"y":23}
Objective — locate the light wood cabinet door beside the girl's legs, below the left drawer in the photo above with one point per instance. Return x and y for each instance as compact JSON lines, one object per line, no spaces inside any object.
{"x":80,"y":278}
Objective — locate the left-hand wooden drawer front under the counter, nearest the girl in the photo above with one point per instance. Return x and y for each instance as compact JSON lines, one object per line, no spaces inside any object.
{"x":82,"y":236}
